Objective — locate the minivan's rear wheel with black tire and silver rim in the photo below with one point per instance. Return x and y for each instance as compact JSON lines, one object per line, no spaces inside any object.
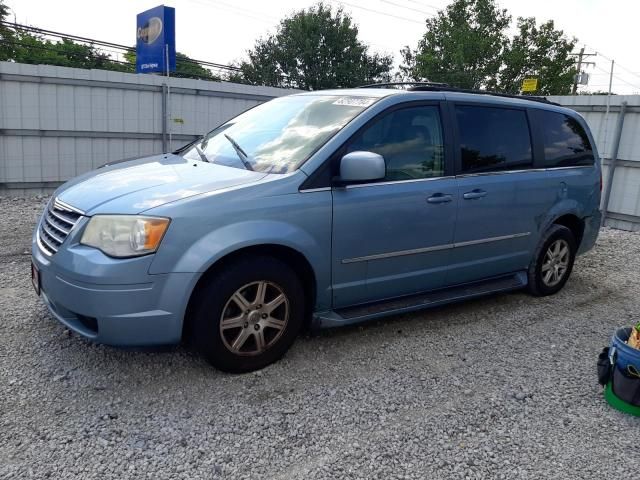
{"x":551,"y":267}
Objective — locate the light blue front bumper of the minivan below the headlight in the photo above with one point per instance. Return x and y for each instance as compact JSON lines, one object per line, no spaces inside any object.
{"x":113,"y":301}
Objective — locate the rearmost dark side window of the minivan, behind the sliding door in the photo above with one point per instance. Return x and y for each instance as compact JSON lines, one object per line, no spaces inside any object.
{"x":565,"y":142}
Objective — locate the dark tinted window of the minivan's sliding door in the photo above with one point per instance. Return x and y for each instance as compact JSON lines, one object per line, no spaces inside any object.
{"x":493,"y":139}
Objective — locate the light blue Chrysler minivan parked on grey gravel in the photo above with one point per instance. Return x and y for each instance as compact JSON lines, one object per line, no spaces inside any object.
{"x":321,"y":209}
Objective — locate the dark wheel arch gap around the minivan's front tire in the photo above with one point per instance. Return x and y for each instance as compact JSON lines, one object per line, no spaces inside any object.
{"x":292,"y":257}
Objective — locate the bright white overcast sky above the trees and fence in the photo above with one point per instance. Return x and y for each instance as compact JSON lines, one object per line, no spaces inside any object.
{"x":222,"y":31}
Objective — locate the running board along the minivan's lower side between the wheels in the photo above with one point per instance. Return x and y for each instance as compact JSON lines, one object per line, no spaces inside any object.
{"x":360,"y":313}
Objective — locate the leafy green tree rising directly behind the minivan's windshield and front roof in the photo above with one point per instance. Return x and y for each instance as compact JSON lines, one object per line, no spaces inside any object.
{"x":314,"y":49}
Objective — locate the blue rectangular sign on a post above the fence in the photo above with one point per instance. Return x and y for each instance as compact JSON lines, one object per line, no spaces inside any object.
{"x":156,"y":40}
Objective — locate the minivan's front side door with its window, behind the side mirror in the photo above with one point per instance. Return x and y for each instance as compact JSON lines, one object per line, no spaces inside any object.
{"x":393,"y":237}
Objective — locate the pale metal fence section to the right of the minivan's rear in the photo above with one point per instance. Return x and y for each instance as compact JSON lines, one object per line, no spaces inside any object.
{"x":624,"y":205}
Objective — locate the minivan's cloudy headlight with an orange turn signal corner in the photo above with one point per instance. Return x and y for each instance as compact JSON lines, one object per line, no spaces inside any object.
{"x":124,"y":235}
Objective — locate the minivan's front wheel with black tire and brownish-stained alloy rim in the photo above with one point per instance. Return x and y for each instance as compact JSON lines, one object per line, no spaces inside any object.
{"x":234,"y":341}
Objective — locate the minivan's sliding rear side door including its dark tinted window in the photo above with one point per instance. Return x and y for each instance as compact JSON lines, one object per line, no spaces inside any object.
{"x":494,"y":154}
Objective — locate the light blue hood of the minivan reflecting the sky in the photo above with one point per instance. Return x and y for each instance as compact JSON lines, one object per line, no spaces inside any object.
{"x":138,"y":185}
